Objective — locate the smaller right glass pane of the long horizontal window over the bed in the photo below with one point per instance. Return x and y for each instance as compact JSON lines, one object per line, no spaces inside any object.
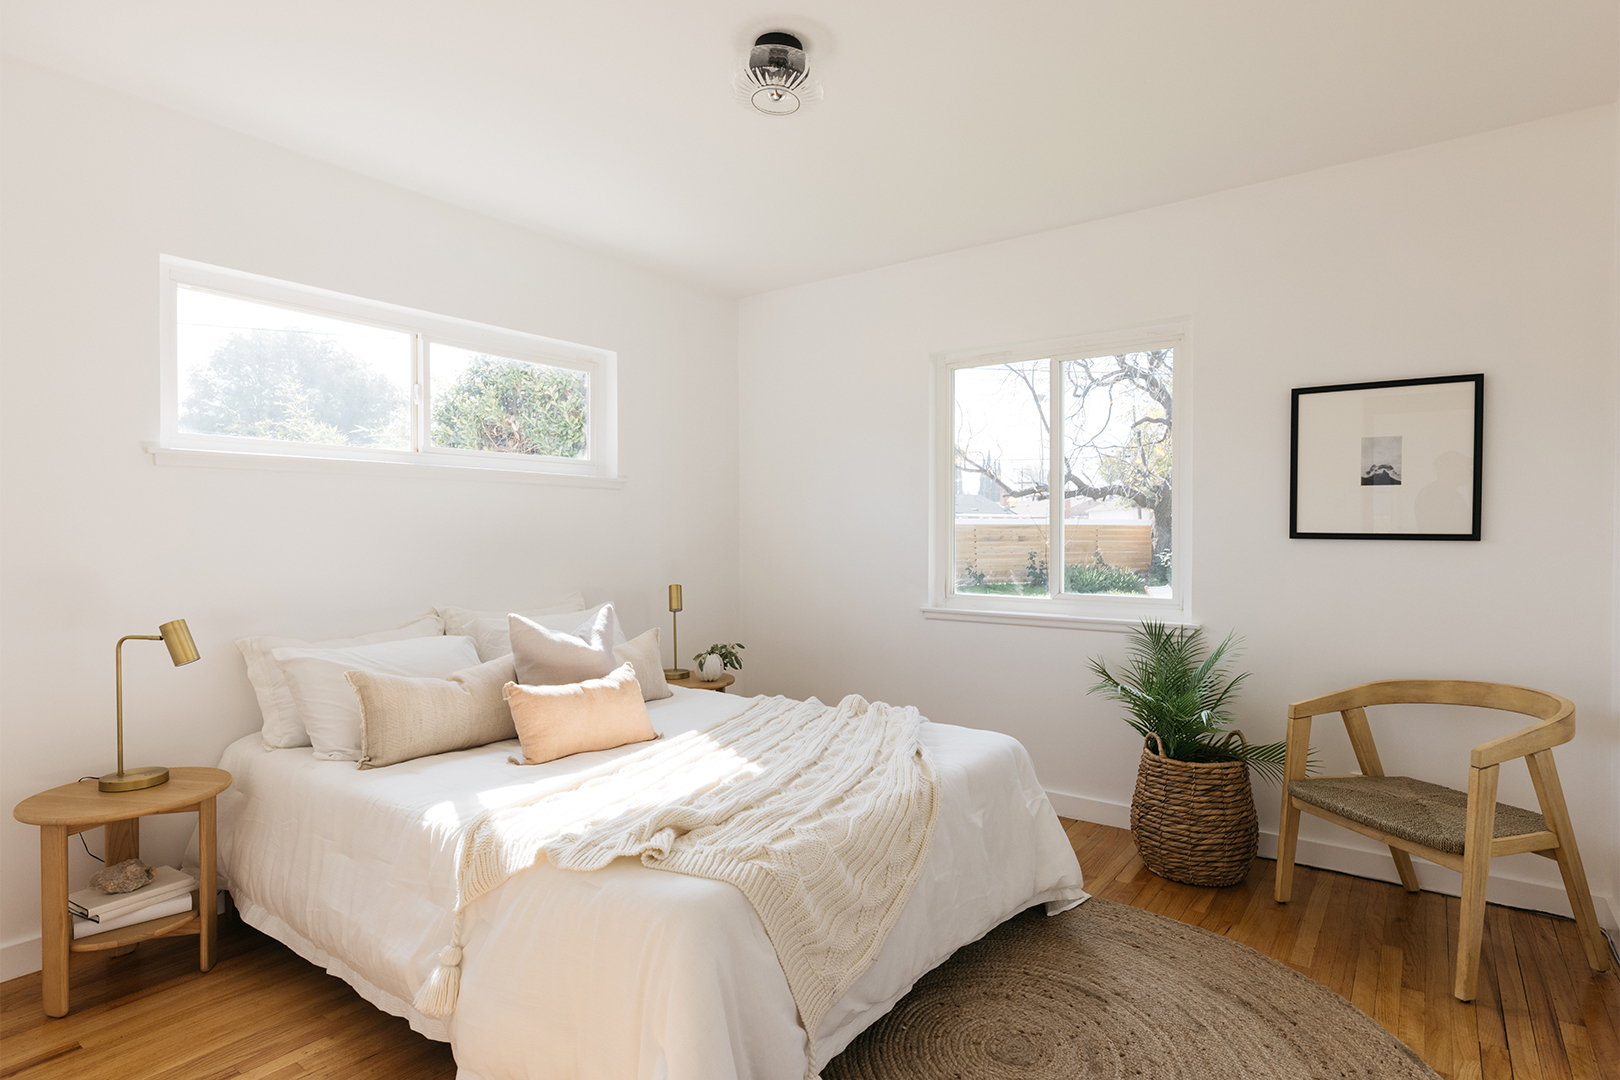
{"x":484,"y":402}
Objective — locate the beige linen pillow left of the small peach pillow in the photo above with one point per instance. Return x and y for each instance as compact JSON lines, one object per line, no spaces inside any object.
{"x":403,"y":718}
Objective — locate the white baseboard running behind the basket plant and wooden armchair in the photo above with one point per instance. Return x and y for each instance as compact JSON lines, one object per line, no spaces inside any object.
{"x":1506,"y":888}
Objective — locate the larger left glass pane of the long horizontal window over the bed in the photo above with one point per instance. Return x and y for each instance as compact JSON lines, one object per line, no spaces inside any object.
{"x":260,"y":372}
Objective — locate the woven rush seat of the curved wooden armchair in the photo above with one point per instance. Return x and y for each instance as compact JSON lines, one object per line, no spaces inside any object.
{"x":1413,"y":810}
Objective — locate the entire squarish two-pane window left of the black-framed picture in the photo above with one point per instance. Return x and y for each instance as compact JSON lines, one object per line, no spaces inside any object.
{"x":1055,"y":482}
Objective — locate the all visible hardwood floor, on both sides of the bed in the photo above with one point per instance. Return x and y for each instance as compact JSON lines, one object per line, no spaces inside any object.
{"x":265,"y":1014}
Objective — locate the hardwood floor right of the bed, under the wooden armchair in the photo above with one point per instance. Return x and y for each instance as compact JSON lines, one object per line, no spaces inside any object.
{"x":1541,"y":1013}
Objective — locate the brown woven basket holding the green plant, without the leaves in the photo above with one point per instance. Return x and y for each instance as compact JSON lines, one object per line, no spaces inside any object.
{"x":1195,"y":820}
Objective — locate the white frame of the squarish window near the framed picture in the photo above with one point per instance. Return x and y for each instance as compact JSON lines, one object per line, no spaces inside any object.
{"x":1057,"y":608}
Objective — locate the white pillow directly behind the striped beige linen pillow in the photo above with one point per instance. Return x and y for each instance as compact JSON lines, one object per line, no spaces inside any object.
{"x":328,"y":705}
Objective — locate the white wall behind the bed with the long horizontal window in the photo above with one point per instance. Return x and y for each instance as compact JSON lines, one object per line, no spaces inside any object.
{"x":98,"y":542}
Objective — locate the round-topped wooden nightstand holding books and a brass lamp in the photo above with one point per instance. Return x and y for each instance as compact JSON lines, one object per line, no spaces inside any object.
{"x":80,"y":807}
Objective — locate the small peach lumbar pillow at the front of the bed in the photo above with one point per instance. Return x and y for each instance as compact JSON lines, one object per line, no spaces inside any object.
{"x":594,"y":715}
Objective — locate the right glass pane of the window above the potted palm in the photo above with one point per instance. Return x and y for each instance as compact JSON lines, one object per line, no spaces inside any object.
{"x":1117,"y":474}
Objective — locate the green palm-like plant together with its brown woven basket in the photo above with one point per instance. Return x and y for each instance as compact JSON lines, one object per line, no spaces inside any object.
{"x":1193,"y":810}
